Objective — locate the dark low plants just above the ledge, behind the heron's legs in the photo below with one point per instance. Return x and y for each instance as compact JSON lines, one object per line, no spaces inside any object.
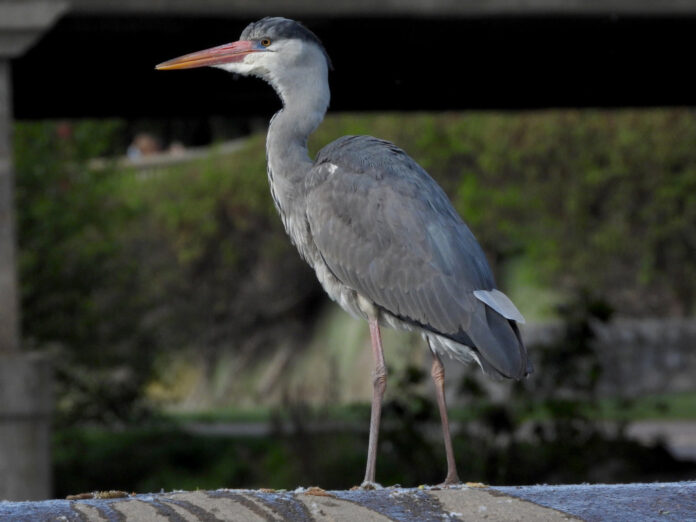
{"x":501,"y":442}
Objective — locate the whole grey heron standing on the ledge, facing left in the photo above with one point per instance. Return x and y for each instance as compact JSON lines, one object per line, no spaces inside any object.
{"x":382,"y":236}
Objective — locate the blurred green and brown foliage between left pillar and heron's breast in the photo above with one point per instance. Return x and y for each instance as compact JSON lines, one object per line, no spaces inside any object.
{"x":120,"y":267}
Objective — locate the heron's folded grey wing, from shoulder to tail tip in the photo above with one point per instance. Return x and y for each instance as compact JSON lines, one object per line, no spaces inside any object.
{"x":387,"y":230}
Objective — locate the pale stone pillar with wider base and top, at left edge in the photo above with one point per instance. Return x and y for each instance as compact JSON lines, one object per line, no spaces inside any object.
{"x":25,"y":379}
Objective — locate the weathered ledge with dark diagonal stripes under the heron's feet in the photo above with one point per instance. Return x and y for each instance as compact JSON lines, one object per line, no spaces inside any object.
{"x":635,"y":502}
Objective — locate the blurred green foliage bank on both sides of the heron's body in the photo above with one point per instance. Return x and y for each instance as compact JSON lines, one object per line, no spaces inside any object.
{"x":120,"y":267}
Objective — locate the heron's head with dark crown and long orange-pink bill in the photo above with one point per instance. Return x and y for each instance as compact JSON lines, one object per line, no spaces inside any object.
{"x":279,"y":50}
